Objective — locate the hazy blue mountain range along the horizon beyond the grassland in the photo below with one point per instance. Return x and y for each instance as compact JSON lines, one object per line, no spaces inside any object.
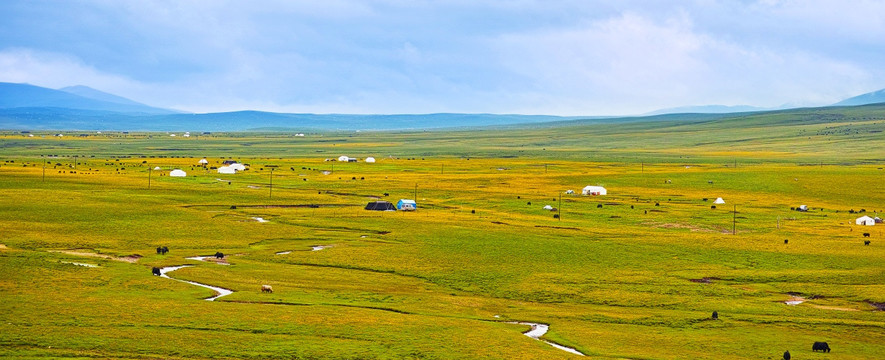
{"x":29,"y":107}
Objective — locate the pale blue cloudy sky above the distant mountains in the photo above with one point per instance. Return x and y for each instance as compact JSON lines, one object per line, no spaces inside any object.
{"x":554,"y":57}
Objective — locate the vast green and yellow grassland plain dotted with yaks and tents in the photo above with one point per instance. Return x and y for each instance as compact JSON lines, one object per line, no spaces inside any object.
{"x":636,"y":278}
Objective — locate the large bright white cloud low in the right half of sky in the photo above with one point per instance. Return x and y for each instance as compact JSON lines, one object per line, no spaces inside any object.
{"x":631,"y":64}
